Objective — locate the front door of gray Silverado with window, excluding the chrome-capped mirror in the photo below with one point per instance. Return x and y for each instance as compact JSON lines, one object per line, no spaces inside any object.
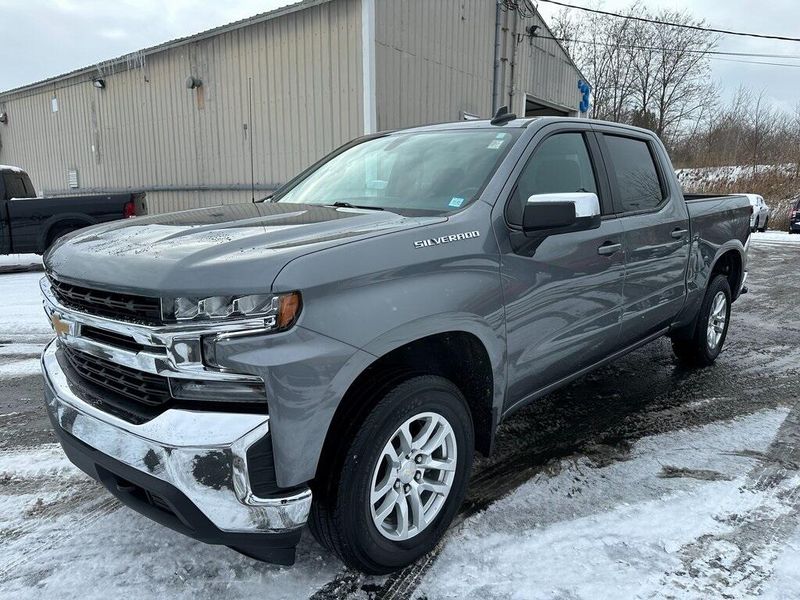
{"x":562,"y":293}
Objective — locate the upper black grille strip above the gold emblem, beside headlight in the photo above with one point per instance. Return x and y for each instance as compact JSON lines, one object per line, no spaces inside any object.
{"x":108,"y":304}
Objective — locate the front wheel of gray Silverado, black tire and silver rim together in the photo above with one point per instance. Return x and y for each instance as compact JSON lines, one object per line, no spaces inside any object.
{"x":402,"y":480}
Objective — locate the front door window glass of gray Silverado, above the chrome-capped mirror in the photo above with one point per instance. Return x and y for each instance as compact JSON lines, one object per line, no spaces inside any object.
{"x":560,"y":164}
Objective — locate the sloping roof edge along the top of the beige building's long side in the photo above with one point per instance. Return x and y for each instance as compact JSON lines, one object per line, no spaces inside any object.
{"x":126,"y":61}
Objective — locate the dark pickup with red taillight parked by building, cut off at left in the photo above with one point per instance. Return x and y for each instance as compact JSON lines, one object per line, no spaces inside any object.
{"x":31,"y":224}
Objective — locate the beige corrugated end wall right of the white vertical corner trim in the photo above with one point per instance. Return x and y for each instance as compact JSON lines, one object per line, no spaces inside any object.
{"x":435,"y":61}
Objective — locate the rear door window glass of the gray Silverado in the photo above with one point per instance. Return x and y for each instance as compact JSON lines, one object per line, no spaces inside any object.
{"x":639,"y":187}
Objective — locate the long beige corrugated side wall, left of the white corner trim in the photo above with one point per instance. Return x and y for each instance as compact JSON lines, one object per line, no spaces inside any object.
{"x":147,"y":130}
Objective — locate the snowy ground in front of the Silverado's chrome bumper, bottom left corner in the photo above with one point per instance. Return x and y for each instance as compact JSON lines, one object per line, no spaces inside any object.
{"x":112,"y":551}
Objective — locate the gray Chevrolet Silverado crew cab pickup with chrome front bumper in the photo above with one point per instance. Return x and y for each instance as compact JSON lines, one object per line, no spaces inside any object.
{"x":335,"y":354}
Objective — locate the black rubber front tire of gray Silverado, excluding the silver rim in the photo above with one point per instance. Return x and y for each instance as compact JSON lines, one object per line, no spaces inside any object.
{"x":341,"y":517}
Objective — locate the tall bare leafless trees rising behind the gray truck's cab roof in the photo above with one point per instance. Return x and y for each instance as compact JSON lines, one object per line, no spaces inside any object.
{"x":650,"y":74}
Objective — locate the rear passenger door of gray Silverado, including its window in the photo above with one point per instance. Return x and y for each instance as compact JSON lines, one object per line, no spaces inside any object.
{"x":656,"y":235}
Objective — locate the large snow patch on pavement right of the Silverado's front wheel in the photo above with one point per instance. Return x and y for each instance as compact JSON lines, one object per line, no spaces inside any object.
{"x":631,"y":527}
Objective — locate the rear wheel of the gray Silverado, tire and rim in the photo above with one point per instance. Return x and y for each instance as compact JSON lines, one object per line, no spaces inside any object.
{"x":711,"y":329}
